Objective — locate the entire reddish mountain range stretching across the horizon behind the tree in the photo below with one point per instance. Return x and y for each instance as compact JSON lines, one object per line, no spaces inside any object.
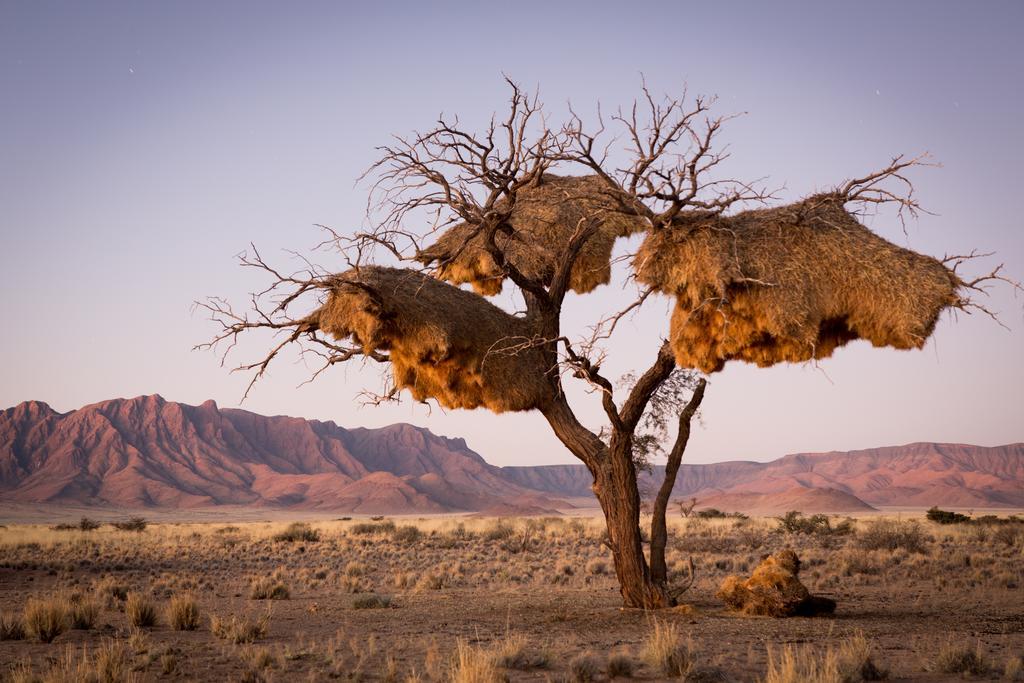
{"x":150,"y":453}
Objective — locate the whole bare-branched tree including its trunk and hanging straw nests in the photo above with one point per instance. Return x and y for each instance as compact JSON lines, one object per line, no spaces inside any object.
{"x":494,"y":210}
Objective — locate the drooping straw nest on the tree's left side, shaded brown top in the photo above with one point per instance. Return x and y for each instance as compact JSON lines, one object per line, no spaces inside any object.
{"x":444,"y":344}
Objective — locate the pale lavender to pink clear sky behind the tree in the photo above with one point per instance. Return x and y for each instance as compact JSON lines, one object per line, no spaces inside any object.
{"x":143,"y":146}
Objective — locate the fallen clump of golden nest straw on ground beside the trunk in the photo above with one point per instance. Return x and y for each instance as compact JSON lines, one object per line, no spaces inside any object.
{"x":775,"y":590}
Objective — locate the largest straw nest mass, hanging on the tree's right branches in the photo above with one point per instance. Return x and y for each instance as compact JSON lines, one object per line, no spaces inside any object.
{"x":790,"y":284}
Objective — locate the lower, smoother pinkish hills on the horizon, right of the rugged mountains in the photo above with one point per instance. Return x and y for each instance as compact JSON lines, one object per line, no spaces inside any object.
{"x":914,"y":476}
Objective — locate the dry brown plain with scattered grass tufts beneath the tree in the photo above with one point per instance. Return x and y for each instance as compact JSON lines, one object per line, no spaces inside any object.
{"x":472,"y":600}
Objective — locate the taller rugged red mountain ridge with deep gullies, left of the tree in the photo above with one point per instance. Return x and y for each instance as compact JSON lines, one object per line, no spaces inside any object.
{"x":148,"y":452}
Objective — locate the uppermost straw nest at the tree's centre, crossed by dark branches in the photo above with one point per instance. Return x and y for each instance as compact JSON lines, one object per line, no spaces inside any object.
{"x":543,"y":222}
